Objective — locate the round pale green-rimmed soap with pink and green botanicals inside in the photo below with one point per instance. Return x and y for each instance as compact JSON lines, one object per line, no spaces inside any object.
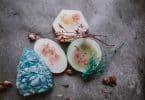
{"x":81,"y":50}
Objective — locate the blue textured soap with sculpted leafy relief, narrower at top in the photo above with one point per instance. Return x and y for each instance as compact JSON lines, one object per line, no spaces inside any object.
{"x":33,"y":75}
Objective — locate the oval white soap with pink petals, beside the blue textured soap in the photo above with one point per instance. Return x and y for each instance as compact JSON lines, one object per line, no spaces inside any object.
{"x":52,"y":54}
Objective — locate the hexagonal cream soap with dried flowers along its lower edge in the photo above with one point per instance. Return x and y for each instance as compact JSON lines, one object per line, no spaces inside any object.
{"x":69,"y":24}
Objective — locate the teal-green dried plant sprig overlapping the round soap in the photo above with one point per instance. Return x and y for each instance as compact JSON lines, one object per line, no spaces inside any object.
{"x":94,"y":69}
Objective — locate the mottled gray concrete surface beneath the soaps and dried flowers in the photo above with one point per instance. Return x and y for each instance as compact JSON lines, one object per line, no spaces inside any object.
{"x":120,"y":20}
